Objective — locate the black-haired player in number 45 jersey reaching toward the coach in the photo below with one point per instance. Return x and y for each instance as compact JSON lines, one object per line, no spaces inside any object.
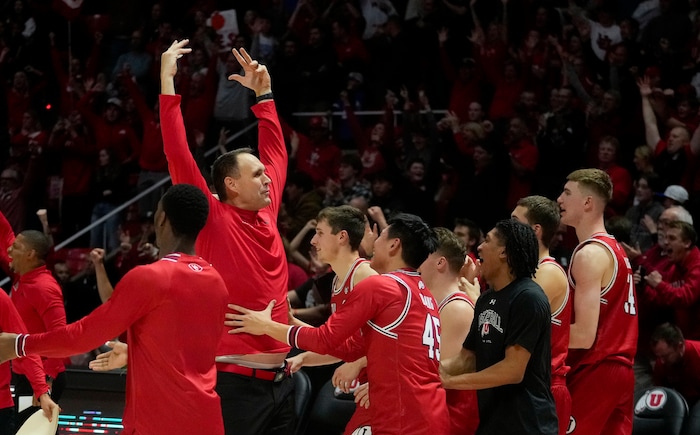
{"x":400,"y":325}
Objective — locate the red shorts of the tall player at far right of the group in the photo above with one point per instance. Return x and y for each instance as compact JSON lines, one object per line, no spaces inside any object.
{"x":602,"y":399}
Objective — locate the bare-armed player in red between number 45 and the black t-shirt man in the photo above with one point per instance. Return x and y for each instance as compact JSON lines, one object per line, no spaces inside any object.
{"x":441,"y":273}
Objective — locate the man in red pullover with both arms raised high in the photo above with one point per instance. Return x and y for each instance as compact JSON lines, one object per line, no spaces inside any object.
{"x":243,"y":243}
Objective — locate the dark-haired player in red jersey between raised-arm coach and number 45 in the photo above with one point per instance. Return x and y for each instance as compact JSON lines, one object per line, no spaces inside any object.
{"x":339,"y":231}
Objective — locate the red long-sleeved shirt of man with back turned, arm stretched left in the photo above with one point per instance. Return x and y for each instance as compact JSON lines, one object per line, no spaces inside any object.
{"x":173,"y":312}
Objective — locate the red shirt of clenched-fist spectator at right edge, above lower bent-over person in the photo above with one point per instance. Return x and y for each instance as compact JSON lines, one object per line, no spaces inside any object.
{"x":680,"y":290}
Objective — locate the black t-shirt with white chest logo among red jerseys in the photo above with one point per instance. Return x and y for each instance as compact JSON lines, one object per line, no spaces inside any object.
{"x":518,"y":314}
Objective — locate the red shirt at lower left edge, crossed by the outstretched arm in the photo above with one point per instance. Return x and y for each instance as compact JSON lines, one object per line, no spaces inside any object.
{"x":31,"y":367}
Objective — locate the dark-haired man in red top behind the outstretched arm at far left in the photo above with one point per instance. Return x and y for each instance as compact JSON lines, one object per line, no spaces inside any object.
{"x":36,"y":295}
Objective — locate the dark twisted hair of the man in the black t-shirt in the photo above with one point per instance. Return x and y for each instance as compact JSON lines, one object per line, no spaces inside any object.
{"x":522,"y":248}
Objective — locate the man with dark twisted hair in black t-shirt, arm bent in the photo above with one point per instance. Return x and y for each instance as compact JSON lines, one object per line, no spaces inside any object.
{"x":506,"y":356}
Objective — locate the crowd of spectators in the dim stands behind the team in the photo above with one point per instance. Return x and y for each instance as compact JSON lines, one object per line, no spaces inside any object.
{"x":480,"y":103}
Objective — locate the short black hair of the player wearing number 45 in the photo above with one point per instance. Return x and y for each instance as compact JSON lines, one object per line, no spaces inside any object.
{"x":417,"y":239}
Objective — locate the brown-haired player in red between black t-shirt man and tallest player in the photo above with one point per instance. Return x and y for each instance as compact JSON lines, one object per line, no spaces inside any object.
{"x":542,"y":214}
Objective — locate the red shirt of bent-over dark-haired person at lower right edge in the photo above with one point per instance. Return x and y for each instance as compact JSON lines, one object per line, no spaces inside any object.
{"x":684,"y":378}
